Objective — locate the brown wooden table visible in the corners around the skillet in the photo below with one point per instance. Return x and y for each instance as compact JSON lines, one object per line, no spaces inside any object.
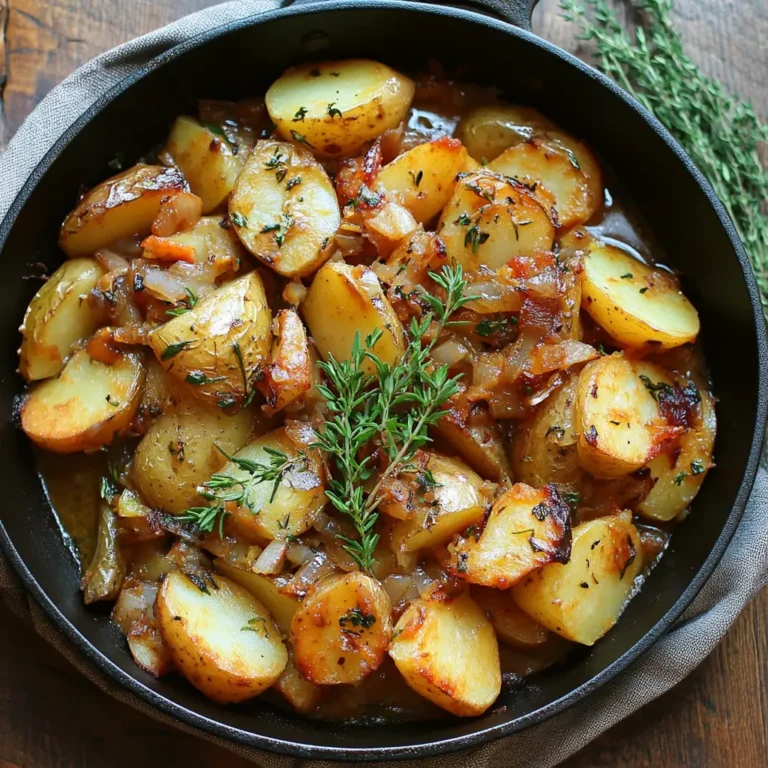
{"x":52,"y":717}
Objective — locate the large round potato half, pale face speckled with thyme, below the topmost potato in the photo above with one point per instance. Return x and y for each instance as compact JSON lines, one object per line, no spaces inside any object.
{"x":284,"y":208}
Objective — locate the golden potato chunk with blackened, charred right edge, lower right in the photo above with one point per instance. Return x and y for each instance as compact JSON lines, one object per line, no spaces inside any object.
{"x":527,"y":529}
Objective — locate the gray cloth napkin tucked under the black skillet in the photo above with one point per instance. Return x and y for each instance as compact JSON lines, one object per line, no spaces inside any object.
{"x":742,"y":572}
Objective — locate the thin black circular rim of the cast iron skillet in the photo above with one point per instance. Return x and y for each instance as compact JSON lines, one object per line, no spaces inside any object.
{"x":484,"y":735}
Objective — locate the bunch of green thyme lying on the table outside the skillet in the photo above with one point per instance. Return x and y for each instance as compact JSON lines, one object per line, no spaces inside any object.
{"x":720,"y":133}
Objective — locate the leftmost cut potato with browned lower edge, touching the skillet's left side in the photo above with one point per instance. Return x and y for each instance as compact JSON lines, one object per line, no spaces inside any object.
{"x":86,"y":406}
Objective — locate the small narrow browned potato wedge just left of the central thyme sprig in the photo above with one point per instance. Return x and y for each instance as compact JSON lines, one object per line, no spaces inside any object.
{"x":289,"y":374}
